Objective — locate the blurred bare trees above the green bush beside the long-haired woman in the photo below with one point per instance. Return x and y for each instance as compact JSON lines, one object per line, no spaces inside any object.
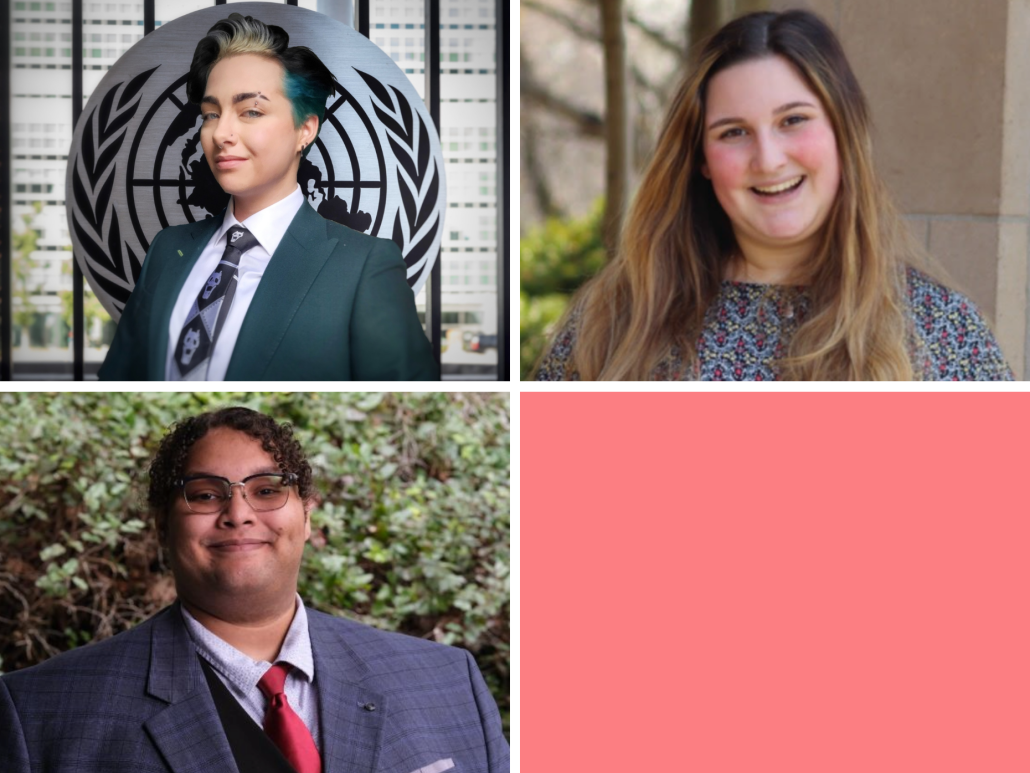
{"x":615,"y":109}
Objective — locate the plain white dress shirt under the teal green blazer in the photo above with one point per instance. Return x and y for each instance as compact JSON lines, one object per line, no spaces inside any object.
{"x":268,"y":226}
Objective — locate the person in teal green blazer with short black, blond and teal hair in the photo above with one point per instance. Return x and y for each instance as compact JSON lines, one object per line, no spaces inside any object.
{"x":267,"y":289}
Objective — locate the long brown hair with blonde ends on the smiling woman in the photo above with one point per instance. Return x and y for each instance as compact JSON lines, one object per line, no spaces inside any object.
{"x":676,"y":242}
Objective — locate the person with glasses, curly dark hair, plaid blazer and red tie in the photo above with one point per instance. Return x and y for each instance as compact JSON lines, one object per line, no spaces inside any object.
{"x":238,"y":674}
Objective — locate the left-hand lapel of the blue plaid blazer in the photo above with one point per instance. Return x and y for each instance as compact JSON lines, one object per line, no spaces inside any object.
{"x":189,"y":733}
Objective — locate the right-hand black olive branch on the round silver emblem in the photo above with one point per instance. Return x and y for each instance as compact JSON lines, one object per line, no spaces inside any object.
{"x":420,"y":183}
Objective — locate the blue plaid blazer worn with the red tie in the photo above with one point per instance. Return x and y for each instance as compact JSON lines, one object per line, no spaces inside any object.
{"x":140,"y":702}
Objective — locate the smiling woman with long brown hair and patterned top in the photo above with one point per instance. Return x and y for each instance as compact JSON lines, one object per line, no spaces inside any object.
{"x":762,"y":244}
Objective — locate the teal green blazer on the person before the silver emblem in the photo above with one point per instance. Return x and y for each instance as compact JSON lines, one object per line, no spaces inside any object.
{"x":334,"y":306}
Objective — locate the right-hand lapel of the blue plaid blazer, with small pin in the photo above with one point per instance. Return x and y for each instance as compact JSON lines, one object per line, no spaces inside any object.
{"x":353,"y":717}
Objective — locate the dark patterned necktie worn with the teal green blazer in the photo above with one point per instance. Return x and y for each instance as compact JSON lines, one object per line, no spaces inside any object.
{"x":208,"y":316}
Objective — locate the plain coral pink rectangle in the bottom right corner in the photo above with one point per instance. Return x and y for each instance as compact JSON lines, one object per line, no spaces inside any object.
{"x":726,"y":583}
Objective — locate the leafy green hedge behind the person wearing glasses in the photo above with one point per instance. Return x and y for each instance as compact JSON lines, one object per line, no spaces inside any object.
{"x":413,"y":533}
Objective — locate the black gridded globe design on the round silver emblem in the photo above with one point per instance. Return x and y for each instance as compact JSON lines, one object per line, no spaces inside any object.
{"x":340,"y":179}
